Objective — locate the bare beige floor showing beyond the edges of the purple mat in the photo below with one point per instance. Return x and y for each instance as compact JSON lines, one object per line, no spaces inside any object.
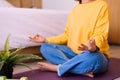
{"x":114,"y":52}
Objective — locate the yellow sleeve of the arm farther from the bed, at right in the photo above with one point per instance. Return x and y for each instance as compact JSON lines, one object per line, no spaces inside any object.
{"x":100,"y":33}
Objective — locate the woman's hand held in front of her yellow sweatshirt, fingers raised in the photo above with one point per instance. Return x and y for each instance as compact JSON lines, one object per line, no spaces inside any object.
{"x":90,"y":47}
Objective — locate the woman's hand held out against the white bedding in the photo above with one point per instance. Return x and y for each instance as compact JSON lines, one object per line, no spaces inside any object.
{"x":38,"y":39}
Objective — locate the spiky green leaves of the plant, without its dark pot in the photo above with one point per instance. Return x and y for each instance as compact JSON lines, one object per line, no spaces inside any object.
{"x":11,"y":59}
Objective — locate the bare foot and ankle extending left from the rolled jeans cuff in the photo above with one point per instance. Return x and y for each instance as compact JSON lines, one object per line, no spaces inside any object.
{"x":45,"y":66}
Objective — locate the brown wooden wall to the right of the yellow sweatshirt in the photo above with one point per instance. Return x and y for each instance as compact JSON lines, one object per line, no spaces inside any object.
{"x":114,"y":32}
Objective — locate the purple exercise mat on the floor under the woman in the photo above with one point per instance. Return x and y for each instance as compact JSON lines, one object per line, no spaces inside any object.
{"x":112,"y":73}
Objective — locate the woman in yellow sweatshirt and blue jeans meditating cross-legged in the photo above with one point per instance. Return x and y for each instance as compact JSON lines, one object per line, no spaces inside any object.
{"x":86,"y":33}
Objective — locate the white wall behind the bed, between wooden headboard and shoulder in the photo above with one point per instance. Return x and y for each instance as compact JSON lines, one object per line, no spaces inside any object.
{"x":58,"y":4}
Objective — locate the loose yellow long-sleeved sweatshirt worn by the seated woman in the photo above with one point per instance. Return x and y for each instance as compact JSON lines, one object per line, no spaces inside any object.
{"x":85,"y":21}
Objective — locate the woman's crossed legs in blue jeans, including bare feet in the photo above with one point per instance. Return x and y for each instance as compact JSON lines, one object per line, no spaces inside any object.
{"x":63,"y":60}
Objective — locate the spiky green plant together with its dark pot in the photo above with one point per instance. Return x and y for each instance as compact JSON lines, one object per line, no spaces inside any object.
{"x":9,"y":59}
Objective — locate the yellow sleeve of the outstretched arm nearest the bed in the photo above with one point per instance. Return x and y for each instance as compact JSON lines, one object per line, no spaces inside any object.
{"x":60,"y":39}
